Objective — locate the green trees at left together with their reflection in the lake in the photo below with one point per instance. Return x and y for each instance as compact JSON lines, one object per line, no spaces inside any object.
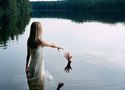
{"x":14,"y":15}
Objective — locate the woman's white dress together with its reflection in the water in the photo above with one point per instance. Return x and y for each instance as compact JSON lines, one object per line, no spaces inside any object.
{"x":36,"y":69}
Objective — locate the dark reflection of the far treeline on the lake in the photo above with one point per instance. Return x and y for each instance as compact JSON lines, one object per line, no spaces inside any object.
{"x":81,"y":16}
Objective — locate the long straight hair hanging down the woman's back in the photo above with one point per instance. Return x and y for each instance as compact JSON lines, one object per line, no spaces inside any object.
{"x":34,"y":39}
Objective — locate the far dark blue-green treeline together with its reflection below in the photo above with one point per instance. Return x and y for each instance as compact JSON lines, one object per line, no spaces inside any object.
{"x":107,"y":11}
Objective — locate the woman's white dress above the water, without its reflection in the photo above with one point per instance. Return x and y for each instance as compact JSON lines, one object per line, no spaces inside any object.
{"x":36,"y":65}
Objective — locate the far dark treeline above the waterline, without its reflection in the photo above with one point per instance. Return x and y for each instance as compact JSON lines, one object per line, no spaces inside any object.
{"x":81,"y":5}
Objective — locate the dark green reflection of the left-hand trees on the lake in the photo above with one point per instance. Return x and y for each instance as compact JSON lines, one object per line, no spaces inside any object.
{"x":11,"y":26}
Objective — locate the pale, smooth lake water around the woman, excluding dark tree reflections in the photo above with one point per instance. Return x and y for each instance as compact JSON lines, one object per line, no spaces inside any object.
{"x":98,"y":51}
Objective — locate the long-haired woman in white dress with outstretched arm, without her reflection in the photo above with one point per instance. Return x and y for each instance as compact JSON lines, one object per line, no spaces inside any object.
{"x":35,"y":44}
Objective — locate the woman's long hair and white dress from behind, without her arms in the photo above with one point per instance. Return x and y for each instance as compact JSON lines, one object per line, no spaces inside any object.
{"x":36,"y":65}
